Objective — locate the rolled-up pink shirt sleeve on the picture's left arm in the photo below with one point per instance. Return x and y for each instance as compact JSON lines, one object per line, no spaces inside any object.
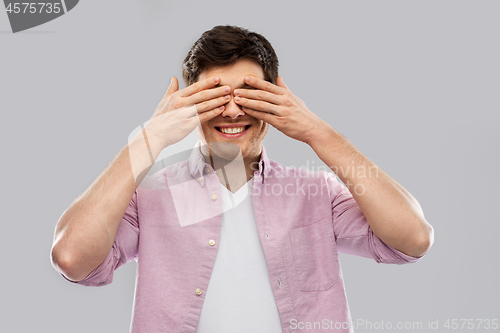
{"x":124,"y":249}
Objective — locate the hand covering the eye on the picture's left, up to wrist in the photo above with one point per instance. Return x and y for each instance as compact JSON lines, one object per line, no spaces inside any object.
{"x":181,"y":111}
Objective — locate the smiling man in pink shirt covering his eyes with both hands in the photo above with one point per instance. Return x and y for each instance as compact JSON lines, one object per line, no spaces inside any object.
{"x":211,"y":259}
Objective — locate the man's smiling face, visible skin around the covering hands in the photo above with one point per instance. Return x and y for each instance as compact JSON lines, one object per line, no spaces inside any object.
{"x":233,"y":119}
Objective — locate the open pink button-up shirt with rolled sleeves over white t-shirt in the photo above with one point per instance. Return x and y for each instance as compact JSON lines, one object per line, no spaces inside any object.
{"x":304,"y":218}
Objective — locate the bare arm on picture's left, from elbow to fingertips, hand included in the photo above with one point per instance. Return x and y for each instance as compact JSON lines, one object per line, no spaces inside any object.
{"x":86,"y":232}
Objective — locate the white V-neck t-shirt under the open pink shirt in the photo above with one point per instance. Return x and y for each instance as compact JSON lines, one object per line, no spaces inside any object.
{"x":239,"y":297}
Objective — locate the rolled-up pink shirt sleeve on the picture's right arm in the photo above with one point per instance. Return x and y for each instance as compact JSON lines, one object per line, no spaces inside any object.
{"x":352,"y":231}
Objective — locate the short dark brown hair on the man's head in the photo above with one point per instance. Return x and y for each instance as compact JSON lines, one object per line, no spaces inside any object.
{"x":224,"y":45}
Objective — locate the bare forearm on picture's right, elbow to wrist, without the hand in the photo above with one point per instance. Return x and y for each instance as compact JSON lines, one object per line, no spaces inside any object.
{"x":394,"y":215}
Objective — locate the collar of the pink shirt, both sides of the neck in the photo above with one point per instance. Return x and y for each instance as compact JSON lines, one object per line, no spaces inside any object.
{"x":198,"y":167}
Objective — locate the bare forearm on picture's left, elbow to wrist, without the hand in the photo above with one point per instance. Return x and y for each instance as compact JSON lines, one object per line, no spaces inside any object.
{"x":86,"y":231}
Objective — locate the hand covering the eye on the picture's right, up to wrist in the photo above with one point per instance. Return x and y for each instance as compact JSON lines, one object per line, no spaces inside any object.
{"x":276,"y":105}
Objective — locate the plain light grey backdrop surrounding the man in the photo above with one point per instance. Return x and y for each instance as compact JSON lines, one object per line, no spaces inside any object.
{"x":413,"y":84}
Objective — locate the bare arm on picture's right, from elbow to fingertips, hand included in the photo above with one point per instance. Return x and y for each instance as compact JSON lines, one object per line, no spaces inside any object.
{"x":392,"y":212}
